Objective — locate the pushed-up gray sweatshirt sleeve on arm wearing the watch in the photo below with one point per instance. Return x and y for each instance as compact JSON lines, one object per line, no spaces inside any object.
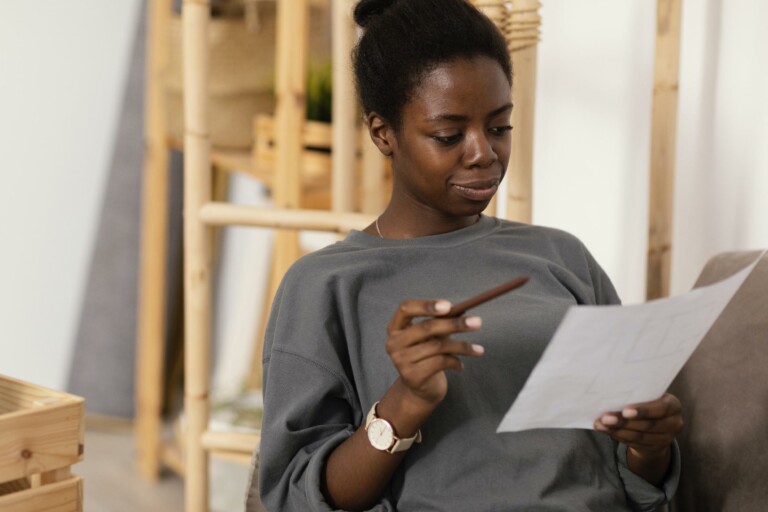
{"x":310,"y":402}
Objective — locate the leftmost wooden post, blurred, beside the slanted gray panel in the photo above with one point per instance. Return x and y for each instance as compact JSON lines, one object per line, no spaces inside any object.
{"x":154,"y":230}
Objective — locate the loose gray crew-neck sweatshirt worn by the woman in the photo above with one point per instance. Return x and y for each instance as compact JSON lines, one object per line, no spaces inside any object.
{"x":325,"y":364}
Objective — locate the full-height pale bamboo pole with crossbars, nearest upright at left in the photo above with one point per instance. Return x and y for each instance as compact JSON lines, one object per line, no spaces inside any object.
{"x":197,"y":251}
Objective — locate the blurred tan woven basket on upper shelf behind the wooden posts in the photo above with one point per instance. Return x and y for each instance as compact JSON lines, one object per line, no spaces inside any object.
{"x":241,"y":77}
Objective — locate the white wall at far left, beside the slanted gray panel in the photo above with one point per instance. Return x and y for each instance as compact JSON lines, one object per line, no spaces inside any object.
{"x":62,"y":70}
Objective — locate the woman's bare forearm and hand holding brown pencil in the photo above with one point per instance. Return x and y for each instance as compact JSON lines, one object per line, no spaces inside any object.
{"x":421,"y":349}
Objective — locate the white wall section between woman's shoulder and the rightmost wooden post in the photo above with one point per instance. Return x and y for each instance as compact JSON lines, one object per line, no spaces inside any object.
{"x":593,"y":130}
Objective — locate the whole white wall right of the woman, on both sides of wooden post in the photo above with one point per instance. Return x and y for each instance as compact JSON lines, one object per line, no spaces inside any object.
{"x":593,"y":122}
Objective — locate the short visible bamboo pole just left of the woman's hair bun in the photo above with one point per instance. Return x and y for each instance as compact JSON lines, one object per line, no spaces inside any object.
{"x":344,"y":108}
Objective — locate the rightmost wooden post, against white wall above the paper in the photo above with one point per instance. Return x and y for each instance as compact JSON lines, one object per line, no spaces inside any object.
{"x":663,"y":139}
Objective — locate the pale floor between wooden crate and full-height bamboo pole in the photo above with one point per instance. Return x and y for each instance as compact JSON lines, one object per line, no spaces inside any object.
{"x":111,"y":483}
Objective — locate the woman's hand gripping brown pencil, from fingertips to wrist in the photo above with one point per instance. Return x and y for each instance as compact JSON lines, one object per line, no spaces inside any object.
{"x":422,"y":351}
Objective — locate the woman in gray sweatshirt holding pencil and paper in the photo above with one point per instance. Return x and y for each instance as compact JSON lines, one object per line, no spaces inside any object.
{"x":373,"y":402}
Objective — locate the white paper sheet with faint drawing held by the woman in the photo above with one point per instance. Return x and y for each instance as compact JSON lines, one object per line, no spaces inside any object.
{"x":605,"y":357}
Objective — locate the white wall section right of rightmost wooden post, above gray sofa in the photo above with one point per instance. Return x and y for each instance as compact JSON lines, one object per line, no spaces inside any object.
{"x":722,"y":159}
